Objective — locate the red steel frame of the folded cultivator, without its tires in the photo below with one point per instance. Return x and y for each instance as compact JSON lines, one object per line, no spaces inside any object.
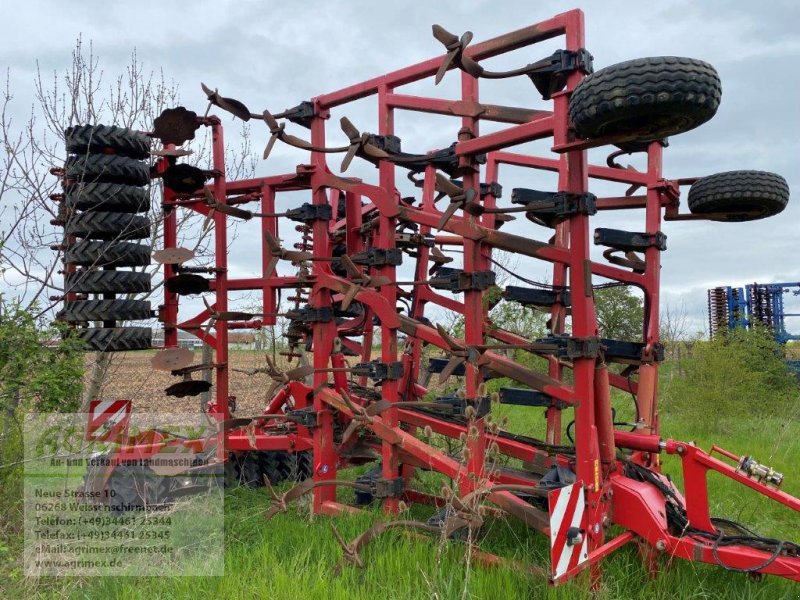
{"x":617,"y":473}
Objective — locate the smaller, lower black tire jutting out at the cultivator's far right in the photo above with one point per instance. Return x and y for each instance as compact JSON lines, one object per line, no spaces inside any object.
{"x":734,"y":194}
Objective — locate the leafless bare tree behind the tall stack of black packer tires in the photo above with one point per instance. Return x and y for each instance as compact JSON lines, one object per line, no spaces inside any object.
{"x":81,"y":94}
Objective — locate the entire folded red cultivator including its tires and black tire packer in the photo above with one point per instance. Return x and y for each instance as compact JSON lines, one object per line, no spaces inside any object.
{"x":345,"y":406}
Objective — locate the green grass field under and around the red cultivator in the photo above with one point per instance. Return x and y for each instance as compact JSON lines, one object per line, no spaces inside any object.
{"x":294,"y":555}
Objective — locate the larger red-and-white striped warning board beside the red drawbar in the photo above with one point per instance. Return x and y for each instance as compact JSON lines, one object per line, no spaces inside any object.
{"x":568,"y":547}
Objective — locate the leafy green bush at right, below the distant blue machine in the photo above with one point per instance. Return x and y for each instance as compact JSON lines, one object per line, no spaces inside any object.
{"x":741,"y":375}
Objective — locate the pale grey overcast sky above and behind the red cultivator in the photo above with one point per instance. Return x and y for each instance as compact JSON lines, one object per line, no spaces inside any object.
{"x":275,"y":54}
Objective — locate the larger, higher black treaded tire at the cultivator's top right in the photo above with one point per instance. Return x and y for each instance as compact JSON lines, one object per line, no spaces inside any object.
{"x":646,"y":99}
